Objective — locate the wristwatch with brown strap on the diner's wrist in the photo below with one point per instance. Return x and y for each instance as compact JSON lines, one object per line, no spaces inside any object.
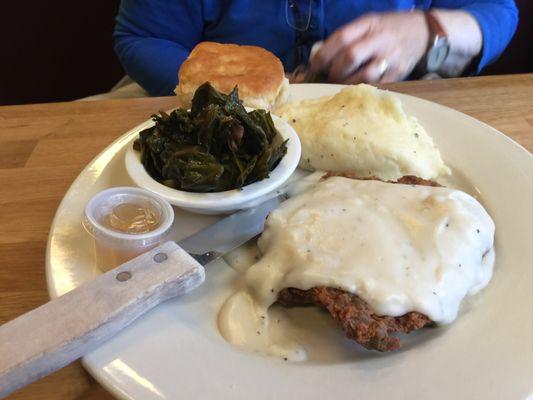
{"x":439,"y":45}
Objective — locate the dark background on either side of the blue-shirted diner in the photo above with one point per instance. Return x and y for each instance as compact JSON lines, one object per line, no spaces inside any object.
{"x":63,"y":50}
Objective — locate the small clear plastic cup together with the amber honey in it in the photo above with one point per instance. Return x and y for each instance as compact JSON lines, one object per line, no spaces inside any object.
{"x":124,"y":223}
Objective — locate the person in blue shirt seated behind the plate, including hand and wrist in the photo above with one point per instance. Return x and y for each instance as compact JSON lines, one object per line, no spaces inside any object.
{"x":364,"y":40}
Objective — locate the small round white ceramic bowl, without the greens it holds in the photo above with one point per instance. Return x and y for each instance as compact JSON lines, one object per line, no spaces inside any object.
{"x":228,"y":201}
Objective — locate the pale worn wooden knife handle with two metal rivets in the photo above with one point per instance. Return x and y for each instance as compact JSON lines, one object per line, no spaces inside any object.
{"x":63,"y":330}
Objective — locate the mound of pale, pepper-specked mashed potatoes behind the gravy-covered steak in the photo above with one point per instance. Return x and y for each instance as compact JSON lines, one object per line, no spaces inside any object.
{"x":364,"y":130}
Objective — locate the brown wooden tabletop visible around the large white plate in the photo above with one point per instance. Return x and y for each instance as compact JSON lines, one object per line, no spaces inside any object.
{"x":44,"y":147}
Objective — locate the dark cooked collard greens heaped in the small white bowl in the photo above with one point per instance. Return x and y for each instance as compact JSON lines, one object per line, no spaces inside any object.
{"x":215,"y":146}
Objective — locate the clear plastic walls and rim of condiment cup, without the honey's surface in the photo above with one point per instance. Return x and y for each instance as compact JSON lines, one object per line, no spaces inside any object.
{"x":113,"y":248}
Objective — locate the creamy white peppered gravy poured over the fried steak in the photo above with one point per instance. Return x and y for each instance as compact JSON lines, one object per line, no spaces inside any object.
{"x":400,"y":248}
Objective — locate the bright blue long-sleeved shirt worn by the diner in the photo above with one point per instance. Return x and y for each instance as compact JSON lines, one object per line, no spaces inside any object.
{"x":153,"y":37}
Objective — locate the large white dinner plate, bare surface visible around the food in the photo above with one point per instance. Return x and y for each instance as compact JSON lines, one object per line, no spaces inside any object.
{"x":176,"y":351}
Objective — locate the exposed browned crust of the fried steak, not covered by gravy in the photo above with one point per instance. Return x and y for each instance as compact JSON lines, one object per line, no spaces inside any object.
{"x":353,"y":314}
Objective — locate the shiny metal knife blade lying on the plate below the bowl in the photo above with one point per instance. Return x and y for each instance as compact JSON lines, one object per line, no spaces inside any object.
{"x":229,"y":233}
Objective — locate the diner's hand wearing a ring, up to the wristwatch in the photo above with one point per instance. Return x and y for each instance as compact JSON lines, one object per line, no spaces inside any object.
{"x":381,"y":47}
